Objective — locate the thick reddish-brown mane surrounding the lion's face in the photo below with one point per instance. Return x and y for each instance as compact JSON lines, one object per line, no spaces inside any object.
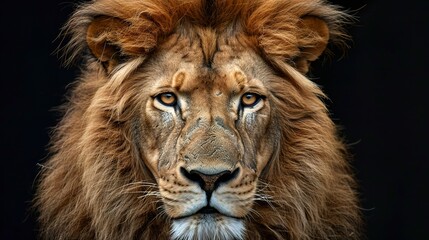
{"x":83,"y":191}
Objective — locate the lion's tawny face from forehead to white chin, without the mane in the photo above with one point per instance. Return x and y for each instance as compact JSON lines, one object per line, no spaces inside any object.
{"x":213,"y":134}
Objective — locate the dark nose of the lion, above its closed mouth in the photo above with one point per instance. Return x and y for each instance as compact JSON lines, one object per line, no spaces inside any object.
{"x":209,"y":182}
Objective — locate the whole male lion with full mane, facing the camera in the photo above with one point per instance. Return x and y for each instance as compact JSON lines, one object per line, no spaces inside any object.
{"x":194,"y":119}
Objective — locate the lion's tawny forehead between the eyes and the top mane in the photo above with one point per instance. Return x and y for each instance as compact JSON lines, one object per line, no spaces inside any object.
{"x":186,"y":66}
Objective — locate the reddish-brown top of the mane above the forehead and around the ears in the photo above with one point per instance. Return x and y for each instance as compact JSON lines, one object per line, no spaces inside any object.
{"x":273,"y":26}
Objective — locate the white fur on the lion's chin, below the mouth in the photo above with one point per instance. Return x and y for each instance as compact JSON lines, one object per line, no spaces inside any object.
{"x":207,"y":227}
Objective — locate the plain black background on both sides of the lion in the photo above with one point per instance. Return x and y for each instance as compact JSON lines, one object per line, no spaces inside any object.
{"x":377,"y":91}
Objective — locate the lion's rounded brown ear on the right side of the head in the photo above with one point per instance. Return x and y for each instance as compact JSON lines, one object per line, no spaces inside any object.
{"x":314,"y":37}
